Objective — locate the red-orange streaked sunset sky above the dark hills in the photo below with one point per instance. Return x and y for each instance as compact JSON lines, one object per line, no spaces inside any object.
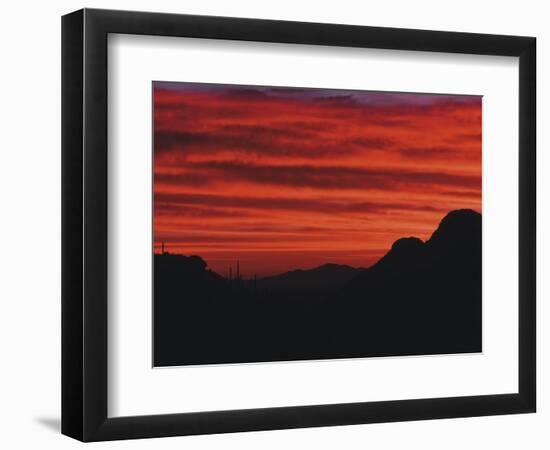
{"x":286,"y":178}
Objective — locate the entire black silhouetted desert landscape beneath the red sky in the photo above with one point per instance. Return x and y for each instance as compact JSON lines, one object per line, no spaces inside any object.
{"x":419,"y":298}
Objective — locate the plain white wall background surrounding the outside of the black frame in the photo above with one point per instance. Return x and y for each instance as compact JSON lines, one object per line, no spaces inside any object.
{"x":30,"y":229}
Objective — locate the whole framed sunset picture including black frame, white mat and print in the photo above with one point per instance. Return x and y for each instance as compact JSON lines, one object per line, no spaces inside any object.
{"x":272,"y":224}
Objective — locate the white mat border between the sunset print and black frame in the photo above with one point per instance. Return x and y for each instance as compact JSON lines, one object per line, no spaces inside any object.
{"x":137,"y":389}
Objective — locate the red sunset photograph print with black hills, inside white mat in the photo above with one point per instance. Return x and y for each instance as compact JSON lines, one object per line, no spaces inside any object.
{"x":307,"y":224}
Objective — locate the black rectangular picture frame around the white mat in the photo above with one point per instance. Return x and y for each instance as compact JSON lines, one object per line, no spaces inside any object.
{"x":84,"y":224}
